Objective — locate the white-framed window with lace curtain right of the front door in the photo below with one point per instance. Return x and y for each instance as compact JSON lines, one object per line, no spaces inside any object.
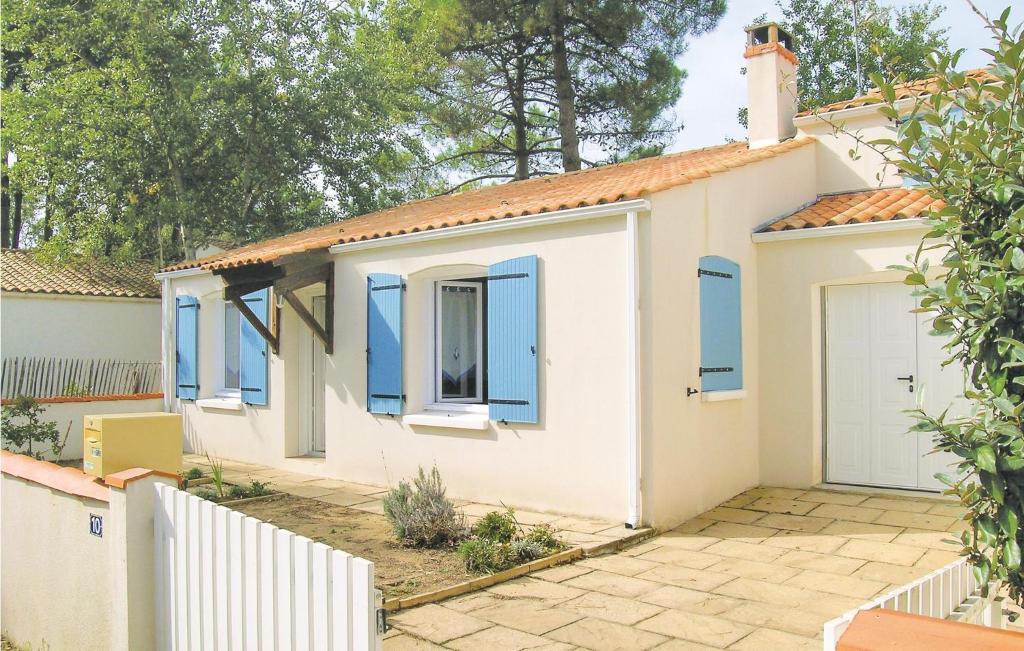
{"x":460,"y":341}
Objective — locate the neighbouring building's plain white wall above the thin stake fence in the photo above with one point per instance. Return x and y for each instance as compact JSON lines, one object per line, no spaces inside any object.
{"x":83,"y":327}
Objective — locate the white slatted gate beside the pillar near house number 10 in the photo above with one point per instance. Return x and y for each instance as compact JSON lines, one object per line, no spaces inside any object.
{"x":226,"y":581}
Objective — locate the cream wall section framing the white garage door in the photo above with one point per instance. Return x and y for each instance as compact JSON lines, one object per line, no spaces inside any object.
{"x":793,"y":273}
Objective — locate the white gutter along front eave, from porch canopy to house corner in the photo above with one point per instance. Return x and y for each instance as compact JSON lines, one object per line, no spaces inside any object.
{"x":511,"y":224}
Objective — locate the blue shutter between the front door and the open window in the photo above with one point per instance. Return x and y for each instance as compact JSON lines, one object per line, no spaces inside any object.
{"x":385,"y":343}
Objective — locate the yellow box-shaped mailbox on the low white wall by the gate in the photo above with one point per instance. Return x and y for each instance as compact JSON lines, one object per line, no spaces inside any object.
{"x":119,"y":442}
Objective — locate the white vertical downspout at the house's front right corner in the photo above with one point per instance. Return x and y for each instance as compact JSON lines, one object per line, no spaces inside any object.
{"x":633,"y":363}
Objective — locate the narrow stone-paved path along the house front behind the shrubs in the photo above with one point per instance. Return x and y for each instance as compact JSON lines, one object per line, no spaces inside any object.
{"x":585,"y":533}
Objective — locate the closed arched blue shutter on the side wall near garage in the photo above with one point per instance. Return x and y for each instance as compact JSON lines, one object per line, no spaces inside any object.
{"x":721,"y":326}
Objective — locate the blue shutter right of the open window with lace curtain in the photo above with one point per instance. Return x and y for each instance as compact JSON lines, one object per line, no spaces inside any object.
{"x":513,"y":341}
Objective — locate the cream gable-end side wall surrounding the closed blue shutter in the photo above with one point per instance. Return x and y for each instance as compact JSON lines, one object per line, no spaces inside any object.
{"x":702,"y":453}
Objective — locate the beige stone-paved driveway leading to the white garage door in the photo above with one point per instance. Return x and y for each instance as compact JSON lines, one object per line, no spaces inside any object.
{"x":764,"y":571}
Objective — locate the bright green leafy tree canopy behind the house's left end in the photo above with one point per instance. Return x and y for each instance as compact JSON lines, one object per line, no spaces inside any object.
{"x":146,"y":129}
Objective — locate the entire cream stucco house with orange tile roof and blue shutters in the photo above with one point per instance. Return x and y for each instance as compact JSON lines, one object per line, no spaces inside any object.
{"x":637,"y":341}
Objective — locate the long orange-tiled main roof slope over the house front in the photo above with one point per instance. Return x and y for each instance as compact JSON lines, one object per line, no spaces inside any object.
{"x":574,"y":190}
